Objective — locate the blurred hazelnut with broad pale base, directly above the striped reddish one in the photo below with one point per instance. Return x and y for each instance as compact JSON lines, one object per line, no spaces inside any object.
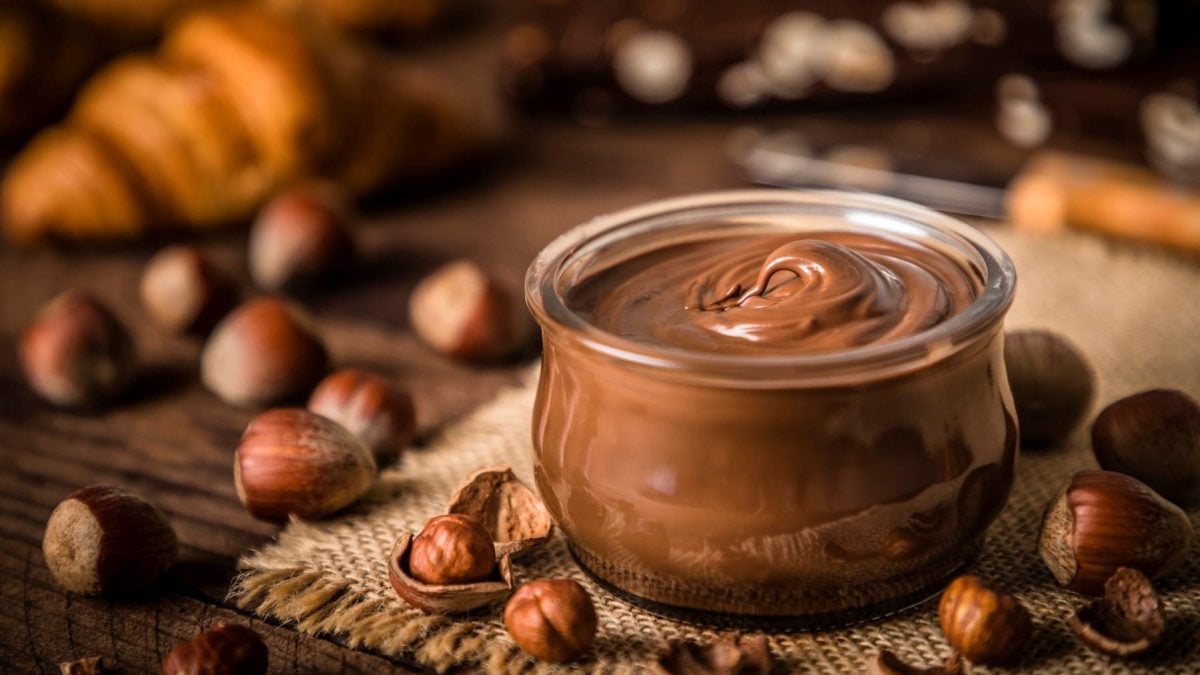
{"x":262,"y":354}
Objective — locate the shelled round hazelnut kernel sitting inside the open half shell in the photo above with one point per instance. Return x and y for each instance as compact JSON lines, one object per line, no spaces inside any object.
{"x":453,"y":549}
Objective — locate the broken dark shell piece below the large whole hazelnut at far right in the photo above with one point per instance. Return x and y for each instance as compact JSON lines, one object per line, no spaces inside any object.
{"x":1126,"y":622}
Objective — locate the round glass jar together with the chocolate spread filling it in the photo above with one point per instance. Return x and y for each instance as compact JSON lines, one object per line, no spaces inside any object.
{"x":760,"y":417}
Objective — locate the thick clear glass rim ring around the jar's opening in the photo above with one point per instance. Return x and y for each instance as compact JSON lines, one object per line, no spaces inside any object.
{"x":545,"y":300}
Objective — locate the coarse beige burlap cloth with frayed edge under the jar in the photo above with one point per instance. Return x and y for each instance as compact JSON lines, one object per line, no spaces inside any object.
{"x":1133,"y":312}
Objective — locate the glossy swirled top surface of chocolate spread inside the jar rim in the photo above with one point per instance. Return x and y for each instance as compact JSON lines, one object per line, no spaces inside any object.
{"x":818,"y":292}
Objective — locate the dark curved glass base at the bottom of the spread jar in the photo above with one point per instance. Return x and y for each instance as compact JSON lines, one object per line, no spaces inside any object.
{"x":773,"y":608}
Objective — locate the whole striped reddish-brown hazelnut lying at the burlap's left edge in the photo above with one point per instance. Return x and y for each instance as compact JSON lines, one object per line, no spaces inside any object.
{"x":295,"y":463}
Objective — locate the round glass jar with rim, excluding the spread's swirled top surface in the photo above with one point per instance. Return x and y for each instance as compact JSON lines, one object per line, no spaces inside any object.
{"x":763,"y":485}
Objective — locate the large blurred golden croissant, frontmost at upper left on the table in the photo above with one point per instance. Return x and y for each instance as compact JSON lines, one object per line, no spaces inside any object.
{"x":236,"y":104}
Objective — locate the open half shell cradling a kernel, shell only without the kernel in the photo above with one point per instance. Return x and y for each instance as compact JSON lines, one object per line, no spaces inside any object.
{"x":446,"y":599}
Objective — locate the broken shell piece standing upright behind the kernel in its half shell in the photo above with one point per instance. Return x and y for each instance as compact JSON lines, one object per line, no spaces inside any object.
{"x":509,"y":510}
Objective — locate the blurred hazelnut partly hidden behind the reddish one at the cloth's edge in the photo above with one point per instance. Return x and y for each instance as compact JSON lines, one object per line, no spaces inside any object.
{"x":368,"y":407}
